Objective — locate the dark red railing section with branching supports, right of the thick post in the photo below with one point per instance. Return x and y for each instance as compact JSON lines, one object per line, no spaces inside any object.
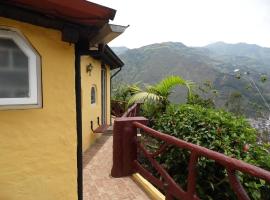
{"x":172,"y":188}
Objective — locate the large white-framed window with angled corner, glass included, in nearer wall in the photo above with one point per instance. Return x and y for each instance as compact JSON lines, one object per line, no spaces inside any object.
{"x":20,"y":78}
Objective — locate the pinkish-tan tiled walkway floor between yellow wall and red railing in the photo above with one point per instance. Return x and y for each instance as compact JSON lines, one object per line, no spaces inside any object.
{"x":98,"y":184}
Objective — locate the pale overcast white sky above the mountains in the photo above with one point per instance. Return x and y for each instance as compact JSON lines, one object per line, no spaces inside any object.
{"x":192,"y":22}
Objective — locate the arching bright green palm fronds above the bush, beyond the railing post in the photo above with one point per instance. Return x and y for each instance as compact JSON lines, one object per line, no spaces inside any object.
{"x":159,"y":93}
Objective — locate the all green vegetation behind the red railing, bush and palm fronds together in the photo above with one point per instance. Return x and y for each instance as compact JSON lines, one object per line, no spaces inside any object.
{"x":199,"y":122}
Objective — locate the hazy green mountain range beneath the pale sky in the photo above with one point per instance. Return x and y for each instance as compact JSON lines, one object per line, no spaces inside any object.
{"x":214,"y":63}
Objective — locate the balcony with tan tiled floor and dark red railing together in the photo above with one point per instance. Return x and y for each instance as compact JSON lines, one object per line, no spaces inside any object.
{"x":98,"y":175}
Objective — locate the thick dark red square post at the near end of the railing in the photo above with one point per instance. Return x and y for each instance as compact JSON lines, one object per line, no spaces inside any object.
{"x":124,"y":145}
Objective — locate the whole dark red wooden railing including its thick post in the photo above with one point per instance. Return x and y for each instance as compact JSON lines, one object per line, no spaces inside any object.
{"x":125,"y":163}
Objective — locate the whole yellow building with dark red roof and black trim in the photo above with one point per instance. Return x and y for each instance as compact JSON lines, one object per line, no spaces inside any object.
{"x":54,"y":91}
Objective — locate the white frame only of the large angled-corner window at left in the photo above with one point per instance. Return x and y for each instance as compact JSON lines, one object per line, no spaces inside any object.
{"x":34,"y":73}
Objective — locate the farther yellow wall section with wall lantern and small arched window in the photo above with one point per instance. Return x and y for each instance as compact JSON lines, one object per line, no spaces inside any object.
{"x":90,"y":112}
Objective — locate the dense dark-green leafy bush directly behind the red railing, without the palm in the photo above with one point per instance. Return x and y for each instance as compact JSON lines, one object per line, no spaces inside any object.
{"x":219,"y":131}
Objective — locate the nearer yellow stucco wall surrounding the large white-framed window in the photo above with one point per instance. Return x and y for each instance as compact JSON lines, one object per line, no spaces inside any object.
{"x":38,"y":146}
